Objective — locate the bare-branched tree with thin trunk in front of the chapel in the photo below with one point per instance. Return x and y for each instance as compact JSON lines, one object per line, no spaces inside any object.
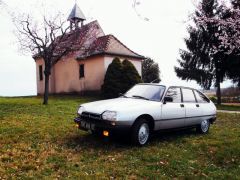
{"x":46,"y":40}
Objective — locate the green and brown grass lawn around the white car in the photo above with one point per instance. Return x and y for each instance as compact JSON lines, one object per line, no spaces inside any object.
{"x":39,"y":141}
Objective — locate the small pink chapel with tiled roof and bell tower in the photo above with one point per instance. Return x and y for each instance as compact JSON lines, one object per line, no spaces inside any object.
{"x":84,"y":69}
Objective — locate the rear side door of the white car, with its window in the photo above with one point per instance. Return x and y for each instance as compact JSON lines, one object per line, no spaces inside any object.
{"x":192,"y":108}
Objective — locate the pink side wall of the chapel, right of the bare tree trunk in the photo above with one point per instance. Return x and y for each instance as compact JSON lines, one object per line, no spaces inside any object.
{"x":67,"y":75}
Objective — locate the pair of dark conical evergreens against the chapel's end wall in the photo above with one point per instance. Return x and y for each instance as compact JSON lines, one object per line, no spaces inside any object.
{"x":119,"y":78}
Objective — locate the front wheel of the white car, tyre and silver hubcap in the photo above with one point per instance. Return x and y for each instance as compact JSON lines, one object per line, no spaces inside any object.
{"x":140,"y":132}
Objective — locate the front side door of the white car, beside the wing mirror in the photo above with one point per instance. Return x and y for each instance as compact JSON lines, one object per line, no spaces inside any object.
{"x":173,"y":113}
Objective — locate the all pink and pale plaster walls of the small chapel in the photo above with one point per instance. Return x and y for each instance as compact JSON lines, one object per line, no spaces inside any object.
{"x":64,"y":76}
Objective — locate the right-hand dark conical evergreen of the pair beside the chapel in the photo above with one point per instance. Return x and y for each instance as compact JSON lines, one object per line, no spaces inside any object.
{"x":130,"y":75}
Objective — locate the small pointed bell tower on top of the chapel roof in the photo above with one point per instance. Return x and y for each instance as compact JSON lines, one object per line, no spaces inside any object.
{"x":76,"y":17}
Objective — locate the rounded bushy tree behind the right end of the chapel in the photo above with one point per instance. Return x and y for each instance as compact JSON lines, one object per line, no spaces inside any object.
{"x":150,"y":71}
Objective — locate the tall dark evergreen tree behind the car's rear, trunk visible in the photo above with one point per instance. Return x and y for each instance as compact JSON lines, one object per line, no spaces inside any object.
{"x":200,"y":62}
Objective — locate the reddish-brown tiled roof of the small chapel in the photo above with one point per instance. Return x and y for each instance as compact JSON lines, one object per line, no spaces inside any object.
{"x":90,"y":40}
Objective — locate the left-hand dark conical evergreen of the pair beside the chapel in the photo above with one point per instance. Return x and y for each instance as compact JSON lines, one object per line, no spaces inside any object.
{"x":113,"y":80}
